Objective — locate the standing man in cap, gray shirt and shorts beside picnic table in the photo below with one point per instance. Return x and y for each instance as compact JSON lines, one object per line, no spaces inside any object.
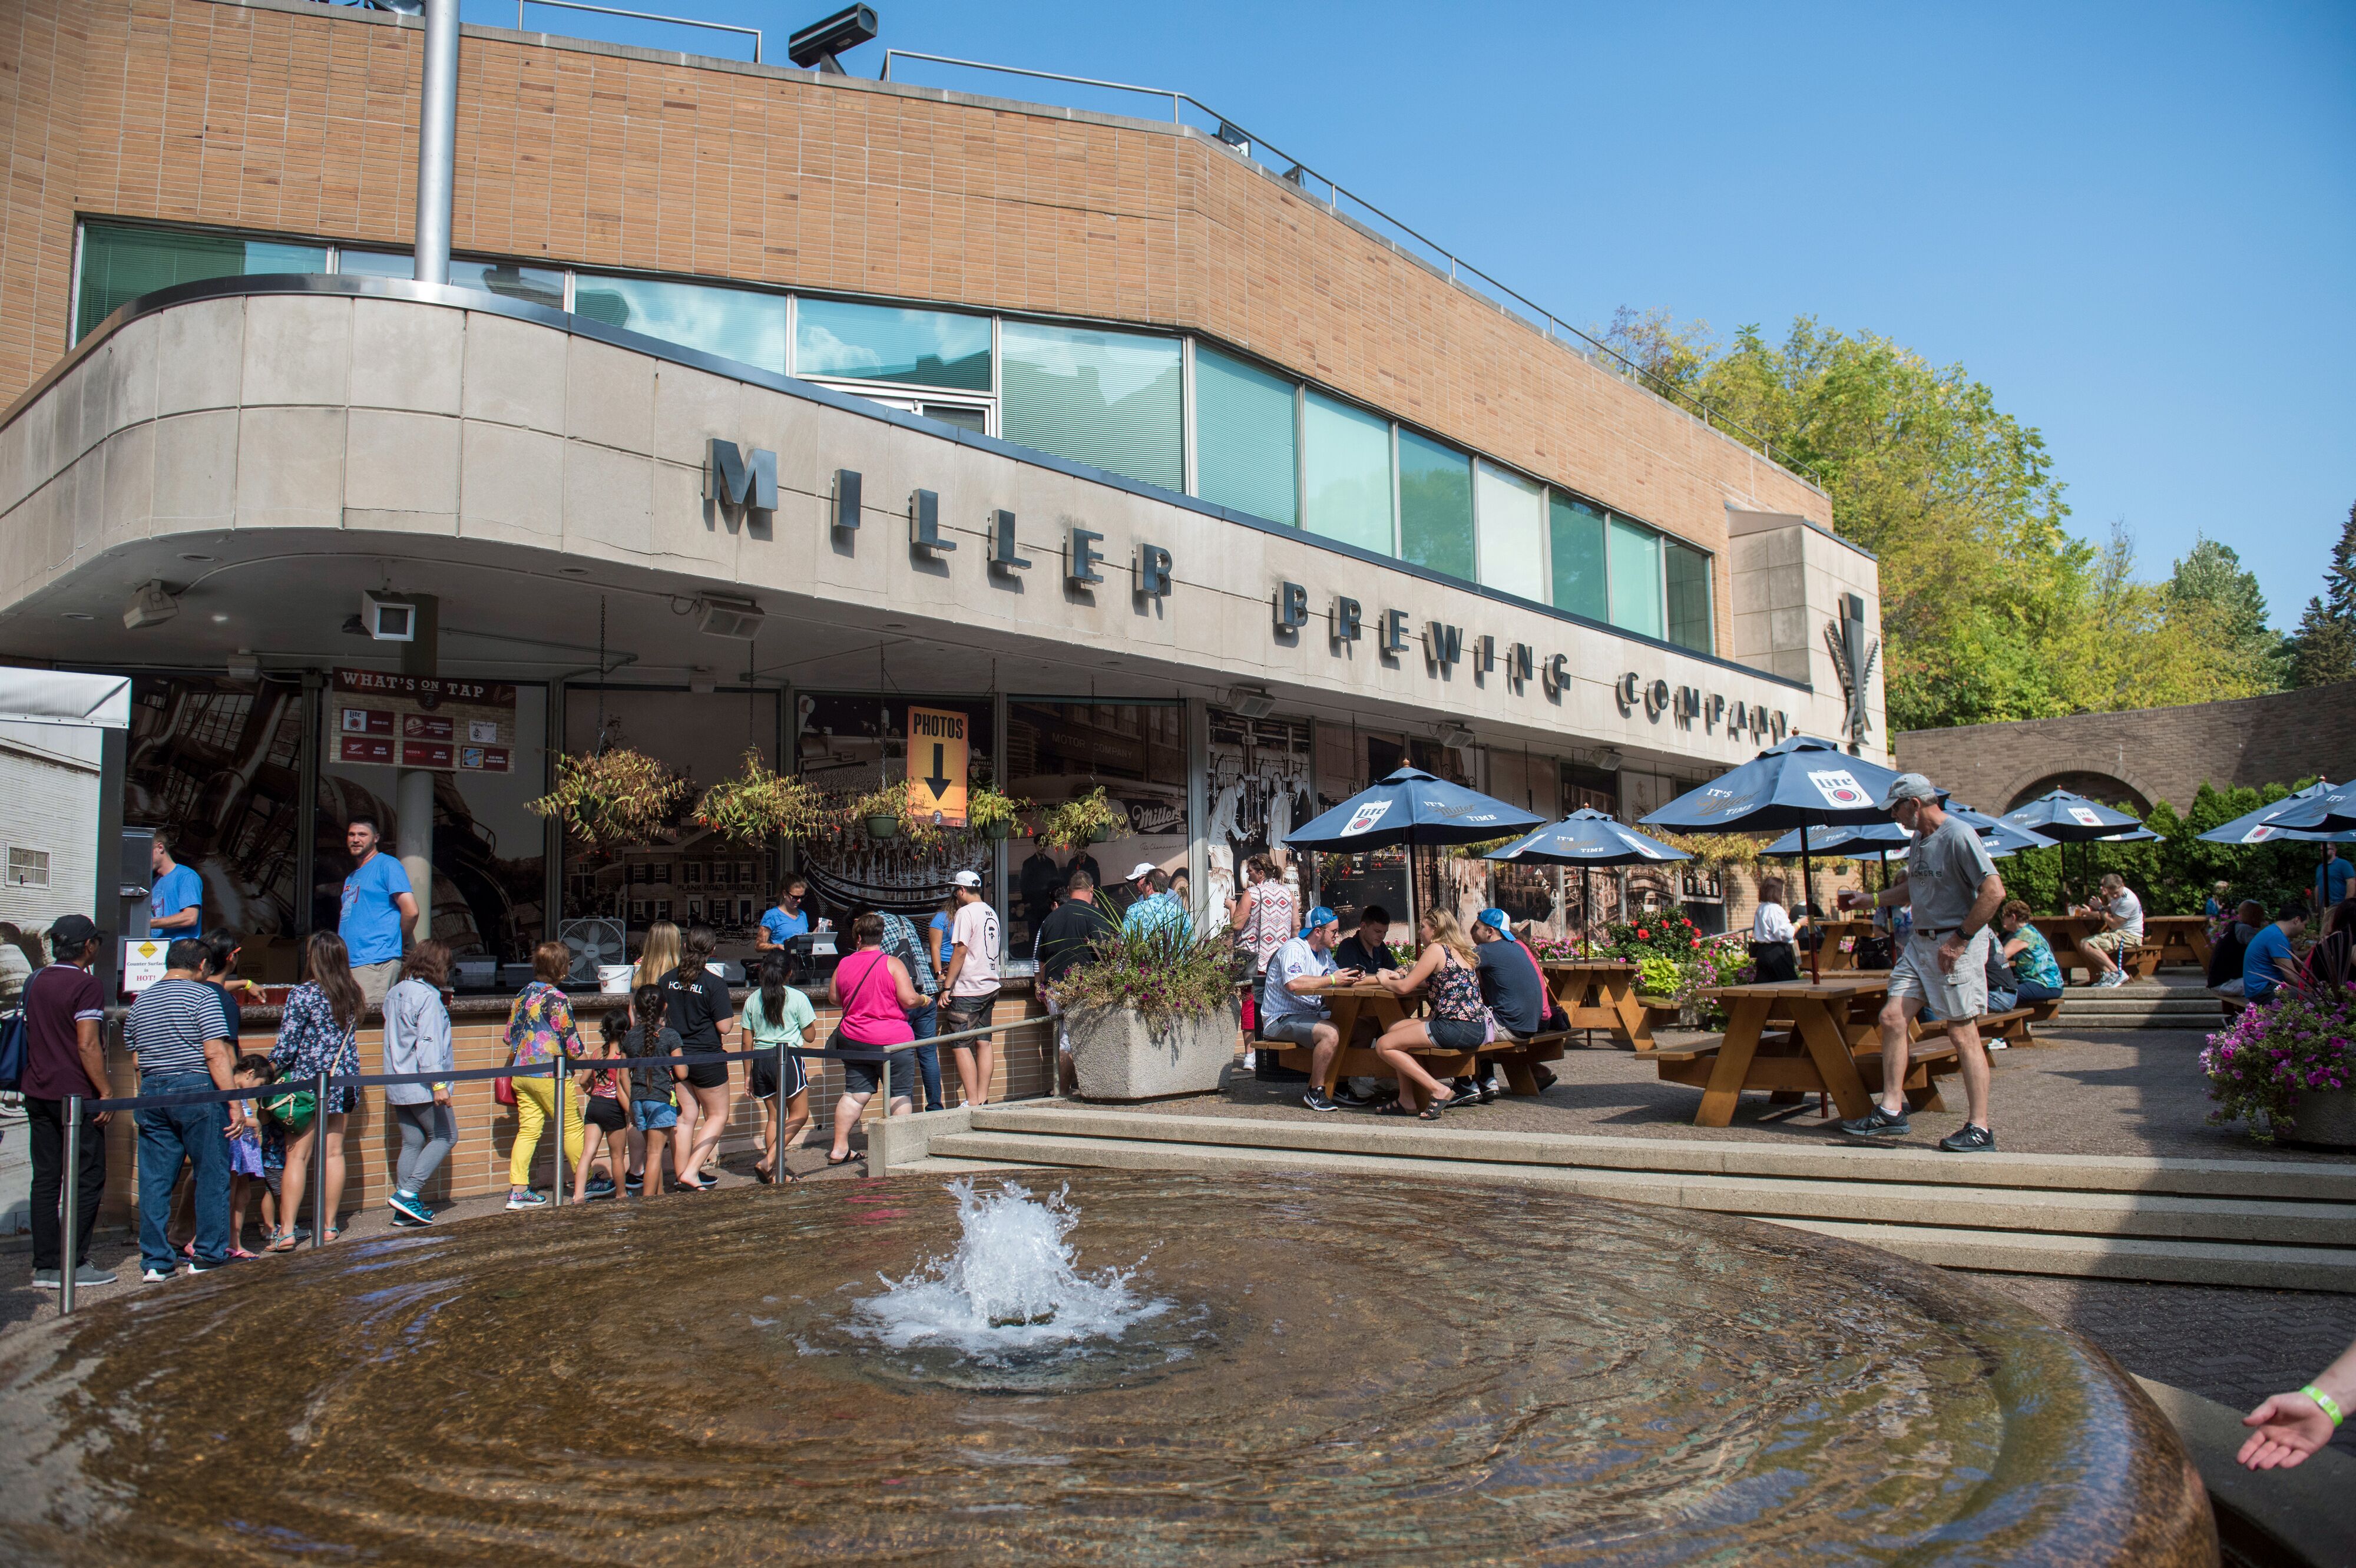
{"x":1954,"y":891}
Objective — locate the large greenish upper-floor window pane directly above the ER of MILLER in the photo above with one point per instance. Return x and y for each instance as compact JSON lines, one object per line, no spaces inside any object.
{"x":1104,"y":399}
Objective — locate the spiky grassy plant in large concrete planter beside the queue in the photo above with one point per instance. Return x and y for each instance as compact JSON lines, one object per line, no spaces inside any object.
{"x":1151,"y":1014}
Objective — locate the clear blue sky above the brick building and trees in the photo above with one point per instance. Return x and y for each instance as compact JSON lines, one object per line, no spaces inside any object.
{"x":2136,"y":225}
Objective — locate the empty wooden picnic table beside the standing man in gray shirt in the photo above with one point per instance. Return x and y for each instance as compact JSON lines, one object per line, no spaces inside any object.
{"x":1827,"y":1023}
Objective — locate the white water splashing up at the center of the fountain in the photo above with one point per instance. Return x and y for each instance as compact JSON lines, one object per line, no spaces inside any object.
{"x":1010,"y":1287}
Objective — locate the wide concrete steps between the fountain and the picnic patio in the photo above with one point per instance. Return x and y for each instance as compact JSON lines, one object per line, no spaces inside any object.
{"x":2242,"y":1223}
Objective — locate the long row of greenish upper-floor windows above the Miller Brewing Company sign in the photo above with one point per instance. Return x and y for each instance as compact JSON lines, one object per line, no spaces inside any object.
{"x":1118,"y":401}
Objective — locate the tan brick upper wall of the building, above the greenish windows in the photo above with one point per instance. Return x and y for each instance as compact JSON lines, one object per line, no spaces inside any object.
{"x":300,"y":119}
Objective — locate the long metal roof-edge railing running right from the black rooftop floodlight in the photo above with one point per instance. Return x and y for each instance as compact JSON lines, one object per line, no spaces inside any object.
{"x":1346,"y":204}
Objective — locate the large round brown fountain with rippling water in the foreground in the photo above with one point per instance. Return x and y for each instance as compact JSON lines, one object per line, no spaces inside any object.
{"x":1120,"y":1369}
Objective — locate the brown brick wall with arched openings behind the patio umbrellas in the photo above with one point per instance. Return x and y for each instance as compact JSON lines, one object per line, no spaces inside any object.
{"x":2162,"y":755}
